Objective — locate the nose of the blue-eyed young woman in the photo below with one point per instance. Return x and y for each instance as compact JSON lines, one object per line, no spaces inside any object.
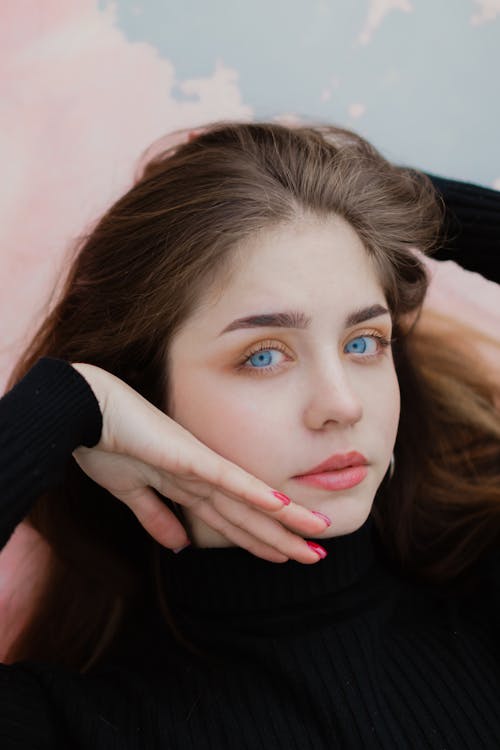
{"x":332,"y":397}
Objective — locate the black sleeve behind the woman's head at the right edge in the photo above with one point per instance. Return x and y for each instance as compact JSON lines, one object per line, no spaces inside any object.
{"x":471,"y":231}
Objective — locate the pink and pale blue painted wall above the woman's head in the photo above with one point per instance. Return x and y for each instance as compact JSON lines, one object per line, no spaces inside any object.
{"x":87,"y":85}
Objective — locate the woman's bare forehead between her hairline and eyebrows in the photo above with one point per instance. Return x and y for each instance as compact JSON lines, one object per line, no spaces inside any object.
{"x":311,"y":263}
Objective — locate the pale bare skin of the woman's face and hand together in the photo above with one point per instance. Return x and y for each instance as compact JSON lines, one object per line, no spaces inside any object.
{"x":234,"y":434}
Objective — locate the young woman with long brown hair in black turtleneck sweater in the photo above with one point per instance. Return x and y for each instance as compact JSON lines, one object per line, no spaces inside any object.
{"x":259,"y":286}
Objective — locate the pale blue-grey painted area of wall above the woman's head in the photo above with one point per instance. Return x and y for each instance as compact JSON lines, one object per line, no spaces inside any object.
{"x":428,"y":79}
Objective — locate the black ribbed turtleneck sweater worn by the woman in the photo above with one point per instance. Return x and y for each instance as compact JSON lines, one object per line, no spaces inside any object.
{"x":346,"y":653}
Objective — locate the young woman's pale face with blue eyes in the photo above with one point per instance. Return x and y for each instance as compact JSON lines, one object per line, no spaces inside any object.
{"x":279,"y":399}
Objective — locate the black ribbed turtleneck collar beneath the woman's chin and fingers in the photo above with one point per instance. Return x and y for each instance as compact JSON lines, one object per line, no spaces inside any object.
{"x":230,"y":579}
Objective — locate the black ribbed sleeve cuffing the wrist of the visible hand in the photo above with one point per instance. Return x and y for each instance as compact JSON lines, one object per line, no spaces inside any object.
{"x":48,"y":414}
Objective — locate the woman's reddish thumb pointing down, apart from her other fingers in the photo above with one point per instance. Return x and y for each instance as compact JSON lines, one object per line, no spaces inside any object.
{"x":160,"y":522}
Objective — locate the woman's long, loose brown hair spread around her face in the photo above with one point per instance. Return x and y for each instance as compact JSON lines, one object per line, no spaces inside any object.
{"x":142,"y":271}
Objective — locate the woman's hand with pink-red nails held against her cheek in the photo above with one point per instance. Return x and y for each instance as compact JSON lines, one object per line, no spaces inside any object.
{"x":142,"y":449}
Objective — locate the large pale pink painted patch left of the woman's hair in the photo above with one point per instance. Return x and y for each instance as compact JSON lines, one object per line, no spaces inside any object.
{"x":80,"y":103}
